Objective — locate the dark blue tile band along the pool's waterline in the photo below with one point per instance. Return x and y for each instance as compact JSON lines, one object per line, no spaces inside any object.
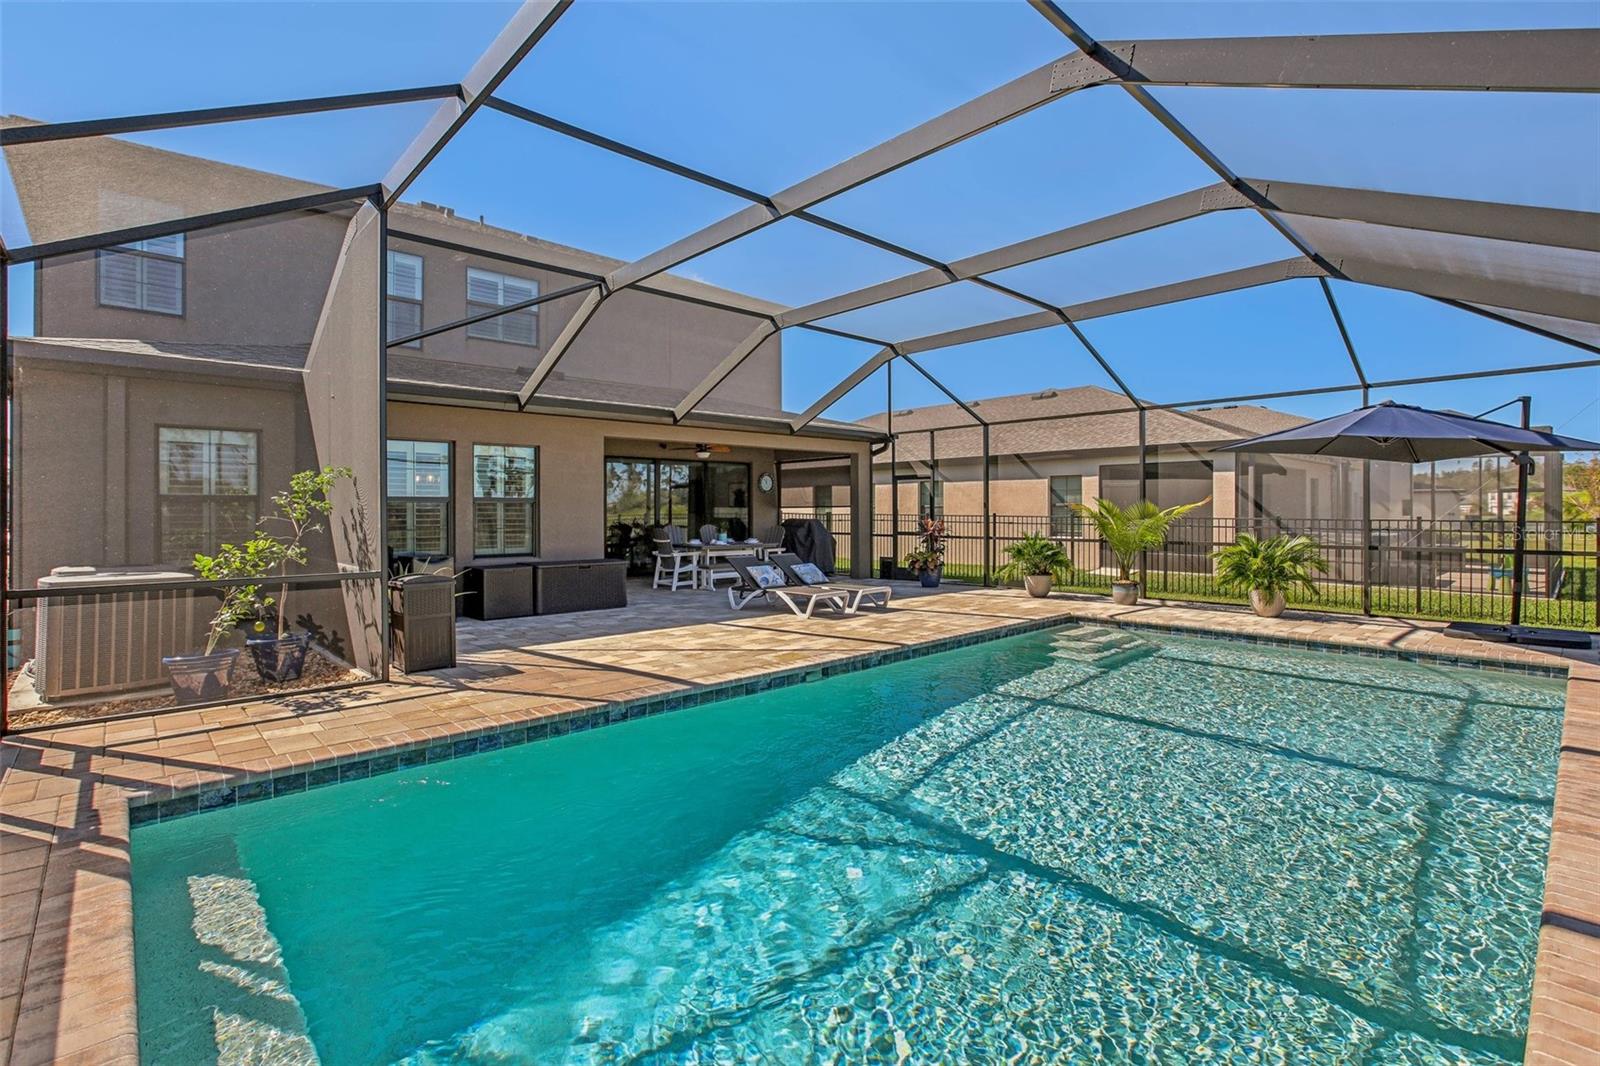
{"x":257,"y":788}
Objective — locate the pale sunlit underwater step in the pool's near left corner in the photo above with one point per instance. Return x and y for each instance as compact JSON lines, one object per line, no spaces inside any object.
{"x":255,"y":1017}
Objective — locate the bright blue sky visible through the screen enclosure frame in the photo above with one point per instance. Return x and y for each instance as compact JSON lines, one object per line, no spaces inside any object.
{"x":767,"y":94}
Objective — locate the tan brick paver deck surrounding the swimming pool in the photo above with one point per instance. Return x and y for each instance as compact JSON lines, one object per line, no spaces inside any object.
{"x":66,"y":902}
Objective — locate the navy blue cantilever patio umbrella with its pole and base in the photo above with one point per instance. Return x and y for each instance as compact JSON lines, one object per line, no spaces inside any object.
{"x":1396,"y":433}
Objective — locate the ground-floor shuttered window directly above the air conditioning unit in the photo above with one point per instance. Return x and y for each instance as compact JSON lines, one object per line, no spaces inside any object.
{"x":206,"y":491}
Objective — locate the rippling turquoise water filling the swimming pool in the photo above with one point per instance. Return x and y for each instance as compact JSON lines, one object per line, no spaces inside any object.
{"x":1074,"y":846}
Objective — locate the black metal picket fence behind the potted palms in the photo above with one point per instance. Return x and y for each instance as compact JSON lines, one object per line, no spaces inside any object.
{"x":1447,"y":569}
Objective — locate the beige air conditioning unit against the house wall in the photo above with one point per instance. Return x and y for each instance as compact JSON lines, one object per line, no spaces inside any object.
{"x":111,"y":643}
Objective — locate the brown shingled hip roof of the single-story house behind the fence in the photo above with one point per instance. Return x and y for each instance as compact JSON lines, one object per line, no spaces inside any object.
{"x":1084,"y":433}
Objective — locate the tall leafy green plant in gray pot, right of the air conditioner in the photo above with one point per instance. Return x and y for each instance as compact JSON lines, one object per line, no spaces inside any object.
{"x":281,"y":657}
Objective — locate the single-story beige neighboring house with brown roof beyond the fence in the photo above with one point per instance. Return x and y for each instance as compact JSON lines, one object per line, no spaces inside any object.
{"x":1041,"y":470}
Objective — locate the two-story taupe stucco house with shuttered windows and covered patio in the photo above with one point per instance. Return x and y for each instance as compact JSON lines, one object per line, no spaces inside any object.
{"x":174,"y":385}
